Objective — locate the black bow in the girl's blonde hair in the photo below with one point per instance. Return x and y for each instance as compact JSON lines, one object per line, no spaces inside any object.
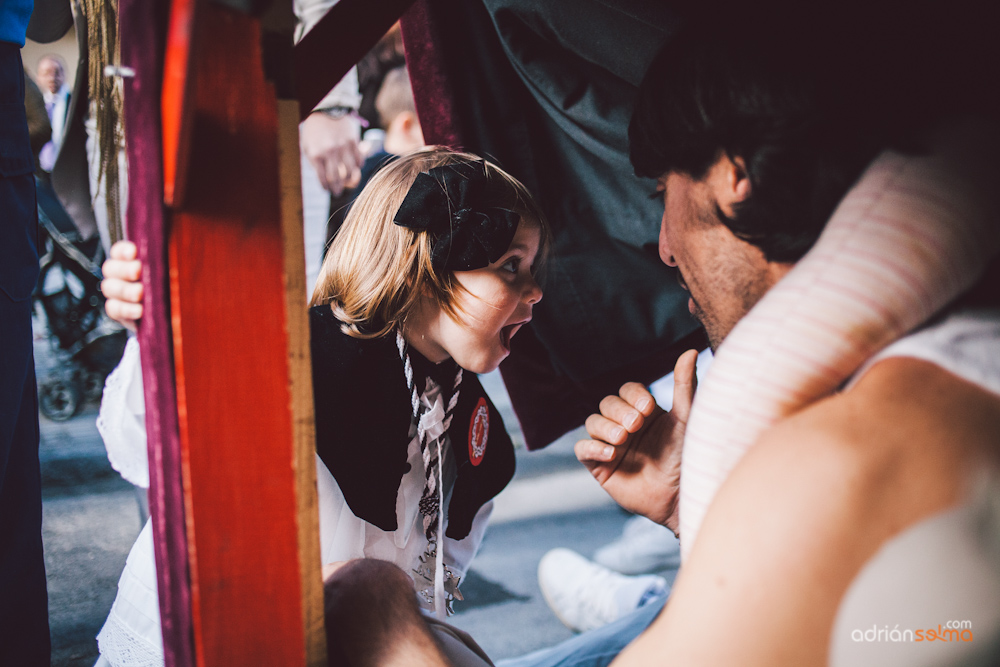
{"x":449,"y":202}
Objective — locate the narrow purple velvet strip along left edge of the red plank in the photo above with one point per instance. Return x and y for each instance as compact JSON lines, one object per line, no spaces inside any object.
{"x":143,"y":24}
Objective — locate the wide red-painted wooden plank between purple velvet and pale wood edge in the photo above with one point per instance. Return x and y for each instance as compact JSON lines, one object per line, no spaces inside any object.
{"x":231,"y":360}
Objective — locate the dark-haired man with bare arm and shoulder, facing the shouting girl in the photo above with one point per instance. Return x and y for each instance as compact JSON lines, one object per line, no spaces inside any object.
{"x":753,"y":150}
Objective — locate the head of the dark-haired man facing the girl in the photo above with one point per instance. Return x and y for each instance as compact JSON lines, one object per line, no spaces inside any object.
{"x":728,"y":102}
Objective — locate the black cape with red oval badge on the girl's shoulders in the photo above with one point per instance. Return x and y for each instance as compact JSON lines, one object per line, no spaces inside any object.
{"x":363,"y":417}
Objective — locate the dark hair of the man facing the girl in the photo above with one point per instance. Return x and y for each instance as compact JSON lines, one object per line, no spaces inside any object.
{"x":743,"y":96}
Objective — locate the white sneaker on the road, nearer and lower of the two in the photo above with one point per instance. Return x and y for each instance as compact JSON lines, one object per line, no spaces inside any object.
{"x":584,"y":595}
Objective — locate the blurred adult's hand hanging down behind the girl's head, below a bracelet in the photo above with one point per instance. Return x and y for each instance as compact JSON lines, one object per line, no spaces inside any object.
{"x":331,"y":144}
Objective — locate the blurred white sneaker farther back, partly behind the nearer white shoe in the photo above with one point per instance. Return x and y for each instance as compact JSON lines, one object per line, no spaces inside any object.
{"x":644,"y":547}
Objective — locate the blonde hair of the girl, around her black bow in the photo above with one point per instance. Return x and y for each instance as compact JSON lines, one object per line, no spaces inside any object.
{"x":376,"y":271}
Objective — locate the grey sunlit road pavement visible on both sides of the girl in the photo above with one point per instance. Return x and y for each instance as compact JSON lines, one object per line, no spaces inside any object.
{"x":92,"y":516}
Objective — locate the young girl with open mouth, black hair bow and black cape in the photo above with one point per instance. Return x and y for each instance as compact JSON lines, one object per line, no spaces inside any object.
{"x":430,"y":277}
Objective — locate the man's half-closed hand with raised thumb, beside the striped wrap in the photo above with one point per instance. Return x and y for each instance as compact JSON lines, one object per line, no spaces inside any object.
{"x":635,"y":450}
